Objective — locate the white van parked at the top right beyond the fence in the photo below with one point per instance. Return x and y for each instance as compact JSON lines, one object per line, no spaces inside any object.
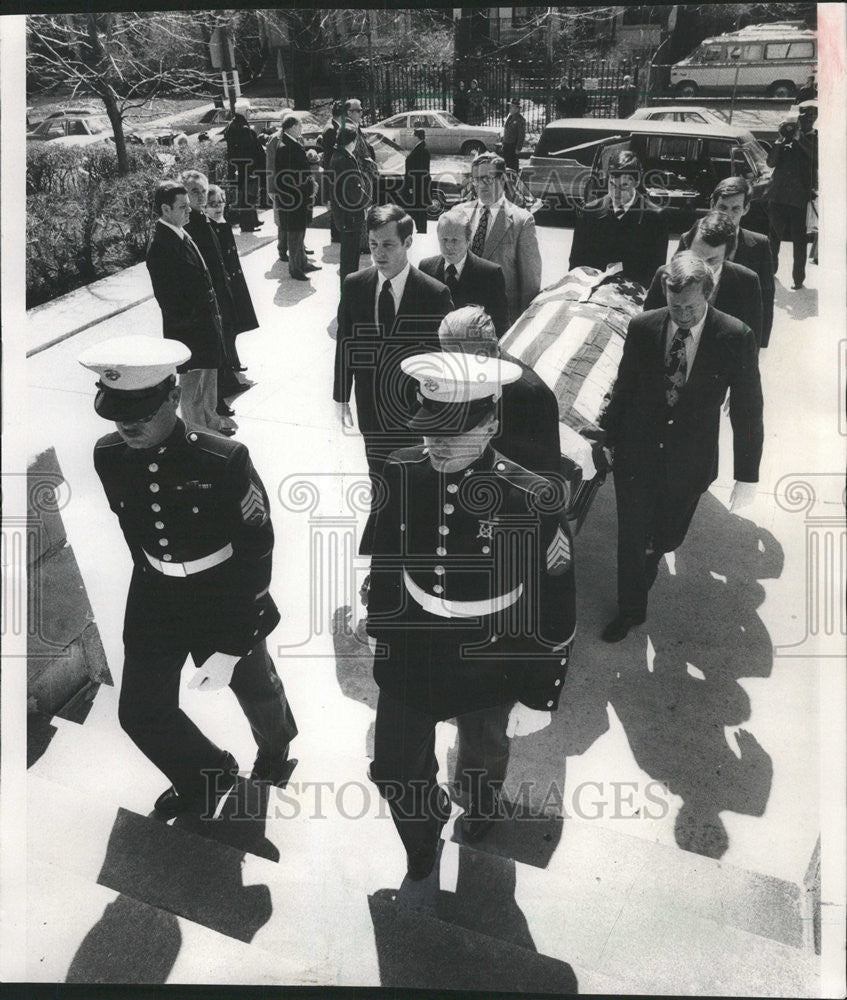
{"x":771,"y":59}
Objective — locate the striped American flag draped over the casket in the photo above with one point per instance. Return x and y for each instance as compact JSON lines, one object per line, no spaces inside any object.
{"x":572,"y":336}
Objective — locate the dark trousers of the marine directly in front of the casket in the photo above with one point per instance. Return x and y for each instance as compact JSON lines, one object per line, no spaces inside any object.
{"x":404,"y":768}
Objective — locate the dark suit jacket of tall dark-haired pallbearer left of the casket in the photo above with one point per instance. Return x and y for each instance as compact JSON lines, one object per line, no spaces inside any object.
{"x":370,"y":359}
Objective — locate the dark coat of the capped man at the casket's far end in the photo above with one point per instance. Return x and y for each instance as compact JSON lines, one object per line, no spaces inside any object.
{"x":639,"y":240}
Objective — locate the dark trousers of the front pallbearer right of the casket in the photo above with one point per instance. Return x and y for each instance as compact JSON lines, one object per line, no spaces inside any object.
{"x":653,"y":518}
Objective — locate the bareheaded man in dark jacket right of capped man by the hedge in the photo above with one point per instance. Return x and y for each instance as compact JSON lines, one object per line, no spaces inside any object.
{"x":293,"y":189}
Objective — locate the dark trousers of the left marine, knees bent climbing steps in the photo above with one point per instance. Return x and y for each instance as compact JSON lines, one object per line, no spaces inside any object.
{"x":149,"y":713}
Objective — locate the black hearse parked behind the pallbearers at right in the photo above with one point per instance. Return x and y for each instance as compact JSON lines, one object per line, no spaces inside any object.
{"x":683,"y":161}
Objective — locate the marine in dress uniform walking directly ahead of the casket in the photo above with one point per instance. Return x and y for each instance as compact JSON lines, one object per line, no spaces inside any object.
{"x":471,"y":602}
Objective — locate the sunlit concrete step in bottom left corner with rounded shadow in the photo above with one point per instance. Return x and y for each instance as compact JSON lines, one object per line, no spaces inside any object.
{"x":82,"y":932}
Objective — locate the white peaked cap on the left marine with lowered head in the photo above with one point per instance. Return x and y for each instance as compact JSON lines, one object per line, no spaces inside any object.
{"x":135,"y":374}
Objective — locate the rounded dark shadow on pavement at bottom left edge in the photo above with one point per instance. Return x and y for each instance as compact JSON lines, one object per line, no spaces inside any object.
{"x":129,"y":944}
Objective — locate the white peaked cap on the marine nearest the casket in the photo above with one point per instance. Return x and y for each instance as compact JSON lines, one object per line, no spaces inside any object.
{"x":456,"y":389}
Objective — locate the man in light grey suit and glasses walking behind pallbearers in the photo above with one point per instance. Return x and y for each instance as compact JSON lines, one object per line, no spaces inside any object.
{"x":503,"y":232}
